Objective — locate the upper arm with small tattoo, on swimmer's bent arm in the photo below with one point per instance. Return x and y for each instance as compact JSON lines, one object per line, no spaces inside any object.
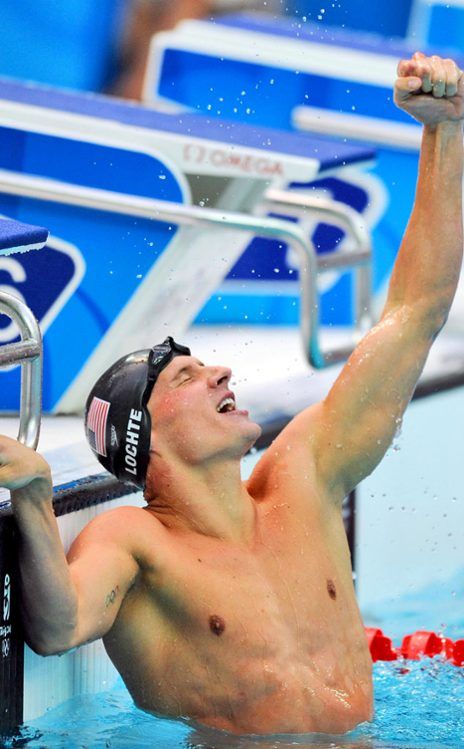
{"x":102,"y":571}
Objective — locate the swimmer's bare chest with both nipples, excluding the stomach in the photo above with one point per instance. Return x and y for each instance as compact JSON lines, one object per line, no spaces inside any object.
{"x":295,"y":576}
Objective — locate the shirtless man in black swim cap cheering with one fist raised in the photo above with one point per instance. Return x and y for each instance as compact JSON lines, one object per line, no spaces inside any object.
{"x":232,"y":603}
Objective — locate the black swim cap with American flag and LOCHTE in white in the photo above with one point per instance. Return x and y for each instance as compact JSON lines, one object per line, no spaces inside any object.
{"x":117,"y":422}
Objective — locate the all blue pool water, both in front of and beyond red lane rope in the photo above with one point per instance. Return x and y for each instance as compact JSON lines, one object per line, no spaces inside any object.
{"x":419,"y":705}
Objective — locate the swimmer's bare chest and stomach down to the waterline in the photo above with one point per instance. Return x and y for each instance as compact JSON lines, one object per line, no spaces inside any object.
{"x":250,"y":627}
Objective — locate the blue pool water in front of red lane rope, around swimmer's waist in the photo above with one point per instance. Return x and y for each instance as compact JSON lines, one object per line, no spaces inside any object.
{"x":420,"y":709}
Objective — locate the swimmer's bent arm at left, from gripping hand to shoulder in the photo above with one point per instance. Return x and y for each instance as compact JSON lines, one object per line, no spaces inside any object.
{"x":64,"y":604}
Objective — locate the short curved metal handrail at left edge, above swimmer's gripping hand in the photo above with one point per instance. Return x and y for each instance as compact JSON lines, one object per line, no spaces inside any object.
{"x":28,"y":353}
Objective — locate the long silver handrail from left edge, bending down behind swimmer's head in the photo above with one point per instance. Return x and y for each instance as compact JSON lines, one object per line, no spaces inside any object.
{"x":40,"y":188}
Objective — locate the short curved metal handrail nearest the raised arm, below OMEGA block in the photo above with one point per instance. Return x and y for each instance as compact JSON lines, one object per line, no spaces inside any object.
{"x":357,"y":258}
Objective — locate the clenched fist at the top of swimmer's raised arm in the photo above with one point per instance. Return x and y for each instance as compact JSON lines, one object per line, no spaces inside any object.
{"x":430,"y":89}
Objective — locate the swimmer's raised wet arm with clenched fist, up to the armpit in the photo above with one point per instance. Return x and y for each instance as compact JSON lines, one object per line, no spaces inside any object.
{"x":353,"y":427}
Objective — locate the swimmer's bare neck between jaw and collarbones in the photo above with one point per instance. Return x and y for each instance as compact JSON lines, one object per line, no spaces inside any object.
{"x":210,"y":500}
